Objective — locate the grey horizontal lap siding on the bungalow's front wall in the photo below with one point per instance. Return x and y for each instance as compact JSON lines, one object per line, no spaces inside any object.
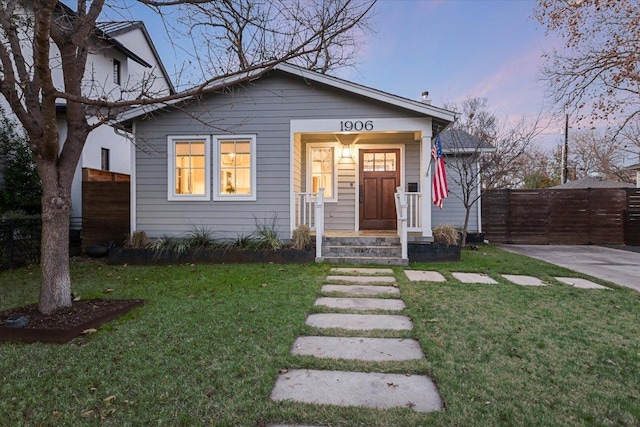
{"x":264,"y":108}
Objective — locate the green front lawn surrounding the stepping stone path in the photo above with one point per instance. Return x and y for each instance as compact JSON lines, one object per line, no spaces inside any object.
{"x":207,"y":346}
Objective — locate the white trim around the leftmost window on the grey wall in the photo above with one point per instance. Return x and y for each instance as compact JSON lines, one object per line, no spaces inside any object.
{"x":171,"y":154}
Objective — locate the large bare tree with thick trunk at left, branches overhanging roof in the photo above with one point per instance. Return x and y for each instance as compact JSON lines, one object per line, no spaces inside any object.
{"x":33,"y":32}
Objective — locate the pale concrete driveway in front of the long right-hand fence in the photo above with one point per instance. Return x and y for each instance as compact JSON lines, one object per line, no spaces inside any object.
{"x":615,"y":265}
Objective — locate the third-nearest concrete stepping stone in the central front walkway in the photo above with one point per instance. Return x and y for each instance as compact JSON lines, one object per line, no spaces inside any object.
{"x":364,"y":322}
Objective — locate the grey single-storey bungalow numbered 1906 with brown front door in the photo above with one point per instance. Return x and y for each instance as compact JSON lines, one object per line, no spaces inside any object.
{"x":291,"y":147}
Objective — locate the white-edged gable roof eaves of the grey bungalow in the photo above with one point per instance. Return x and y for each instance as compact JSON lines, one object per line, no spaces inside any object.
{"x":441,"y":117}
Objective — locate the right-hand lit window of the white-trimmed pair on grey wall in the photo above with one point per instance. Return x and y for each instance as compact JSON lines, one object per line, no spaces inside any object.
{"x":235,"y":162}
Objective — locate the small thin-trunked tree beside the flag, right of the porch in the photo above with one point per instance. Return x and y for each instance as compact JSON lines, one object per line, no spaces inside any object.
{"x":490,"y":158}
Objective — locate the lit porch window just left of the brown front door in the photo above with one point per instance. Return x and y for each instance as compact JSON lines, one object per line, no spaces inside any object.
{"x":321,"y":170}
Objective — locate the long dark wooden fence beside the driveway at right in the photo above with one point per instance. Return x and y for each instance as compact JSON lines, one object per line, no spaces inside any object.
{"x":581,"y":216}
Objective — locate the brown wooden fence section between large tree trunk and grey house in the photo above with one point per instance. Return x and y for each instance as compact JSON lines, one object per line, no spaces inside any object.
{"x":105,"y":207}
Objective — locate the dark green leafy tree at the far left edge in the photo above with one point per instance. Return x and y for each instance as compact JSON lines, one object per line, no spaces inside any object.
{"x":20,"y":187}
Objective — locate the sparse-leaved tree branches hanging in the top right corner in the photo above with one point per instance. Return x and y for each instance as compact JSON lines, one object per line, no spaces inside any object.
{"x":597,"y":72}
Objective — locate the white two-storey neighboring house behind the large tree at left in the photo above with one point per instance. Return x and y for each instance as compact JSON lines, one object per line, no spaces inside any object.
{"x":121,"y":64}
